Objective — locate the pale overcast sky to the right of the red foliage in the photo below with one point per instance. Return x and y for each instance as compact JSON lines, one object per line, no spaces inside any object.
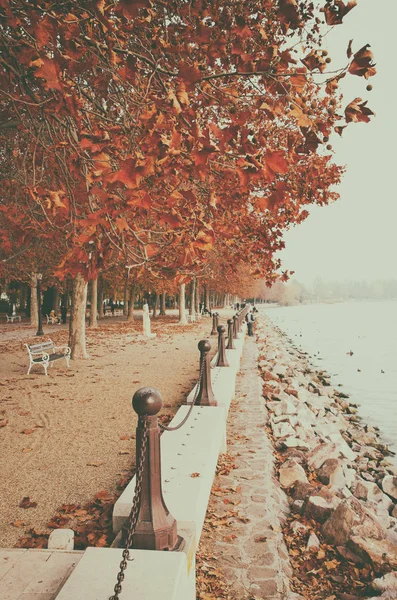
{"x":356,"y":237}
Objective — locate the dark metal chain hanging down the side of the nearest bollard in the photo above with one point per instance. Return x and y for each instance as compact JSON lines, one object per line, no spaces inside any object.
{"x":133,"y":518}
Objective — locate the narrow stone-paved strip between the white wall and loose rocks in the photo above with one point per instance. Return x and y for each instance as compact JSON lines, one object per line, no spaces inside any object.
{"x":251,"y":553}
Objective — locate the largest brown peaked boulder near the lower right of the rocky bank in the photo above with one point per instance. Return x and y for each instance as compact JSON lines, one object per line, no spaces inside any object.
{"x":351,"y":518}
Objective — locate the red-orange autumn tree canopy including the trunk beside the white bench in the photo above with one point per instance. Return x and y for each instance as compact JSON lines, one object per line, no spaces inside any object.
{"x":164,"y":143}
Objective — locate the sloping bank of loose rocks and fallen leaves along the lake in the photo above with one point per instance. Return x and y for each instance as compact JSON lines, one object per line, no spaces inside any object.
{"x":341,"y":487}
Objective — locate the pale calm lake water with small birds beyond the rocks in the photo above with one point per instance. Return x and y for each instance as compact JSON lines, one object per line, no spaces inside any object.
{"x":368,"y":330}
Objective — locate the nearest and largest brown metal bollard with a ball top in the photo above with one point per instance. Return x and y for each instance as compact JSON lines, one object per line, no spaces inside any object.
{"x":156,"y":528}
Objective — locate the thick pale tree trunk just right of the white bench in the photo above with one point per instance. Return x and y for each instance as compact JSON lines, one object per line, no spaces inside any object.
{"x":77,"y":320}
